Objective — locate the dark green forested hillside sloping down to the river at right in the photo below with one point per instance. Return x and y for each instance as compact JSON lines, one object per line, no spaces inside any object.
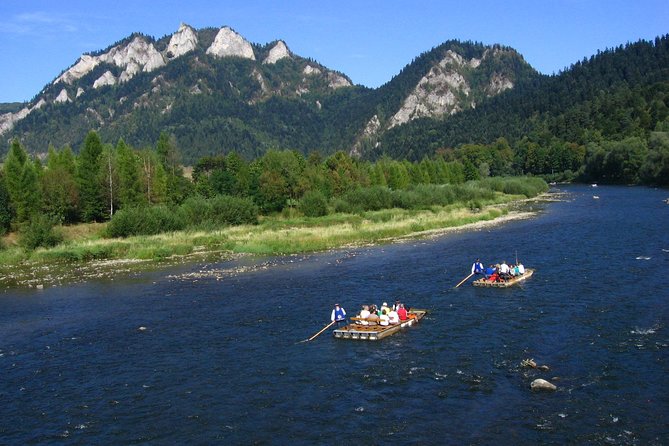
{"x":604,"y":118}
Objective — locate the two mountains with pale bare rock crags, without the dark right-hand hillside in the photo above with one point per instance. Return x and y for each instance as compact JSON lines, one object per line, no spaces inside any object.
{"x":217,"y":92}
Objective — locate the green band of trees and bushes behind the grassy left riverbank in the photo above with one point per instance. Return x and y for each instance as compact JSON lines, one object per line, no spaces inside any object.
{"x":104,"y":180}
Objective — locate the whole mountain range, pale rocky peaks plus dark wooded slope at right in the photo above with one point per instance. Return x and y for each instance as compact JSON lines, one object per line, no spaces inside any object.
{"x":215,"y":92}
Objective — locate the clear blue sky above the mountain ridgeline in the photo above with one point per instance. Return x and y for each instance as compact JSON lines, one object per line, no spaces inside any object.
{"x":368,"y":40}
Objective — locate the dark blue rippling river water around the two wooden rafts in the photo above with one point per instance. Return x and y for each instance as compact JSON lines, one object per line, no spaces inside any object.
{"x":210,"y":353}
